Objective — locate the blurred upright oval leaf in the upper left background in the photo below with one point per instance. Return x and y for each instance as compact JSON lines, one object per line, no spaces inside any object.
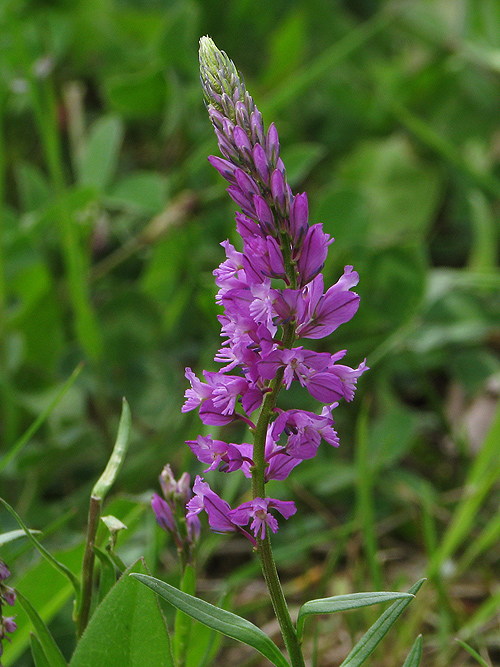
{"x":100,"y":156}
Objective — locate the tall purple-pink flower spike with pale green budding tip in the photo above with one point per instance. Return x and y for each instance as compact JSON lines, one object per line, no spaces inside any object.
{"x":272,"y":293}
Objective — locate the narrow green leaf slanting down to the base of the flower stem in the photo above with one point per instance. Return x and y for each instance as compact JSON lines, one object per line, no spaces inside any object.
{"x":224,"y":621}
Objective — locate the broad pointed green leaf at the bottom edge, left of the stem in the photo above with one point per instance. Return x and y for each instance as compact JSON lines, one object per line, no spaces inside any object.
{"x":126,"y":630}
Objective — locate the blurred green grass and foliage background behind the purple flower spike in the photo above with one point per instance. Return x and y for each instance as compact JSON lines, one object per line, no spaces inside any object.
{"x":110,"y":225}
